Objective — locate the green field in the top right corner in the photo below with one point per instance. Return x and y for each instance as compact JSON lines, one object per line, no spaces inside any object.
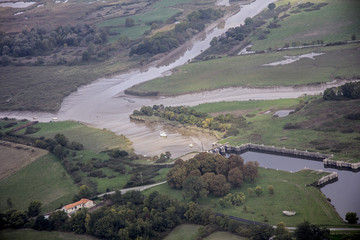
{"x":332,"y":23}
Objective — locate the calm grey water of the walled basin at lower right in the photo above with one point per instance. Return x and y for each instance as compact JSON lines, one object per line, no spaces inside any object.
{"x":344,"y":193}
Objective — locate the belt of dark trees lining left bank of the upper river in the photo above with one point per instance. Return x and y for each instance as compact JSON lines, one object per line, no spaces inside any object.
{"x":166,"y":41}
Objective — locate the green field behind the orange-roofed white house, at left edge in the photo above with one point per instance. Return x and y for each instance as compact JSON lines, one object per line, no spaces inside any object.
{"x":43,"y":180}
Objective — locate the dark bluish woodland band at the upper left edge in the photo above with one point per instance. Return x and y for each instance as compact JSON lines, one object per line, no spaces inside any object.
{"x":39,"y":41}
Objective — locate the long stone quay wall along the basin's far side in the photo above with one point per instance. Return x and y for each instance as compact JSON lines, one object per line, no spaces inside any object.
{"x":325,"y":158}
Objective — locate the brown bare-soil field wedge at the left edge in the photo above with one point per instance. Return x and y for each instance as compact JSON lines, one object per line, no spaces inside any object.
{"x":13,"y":157}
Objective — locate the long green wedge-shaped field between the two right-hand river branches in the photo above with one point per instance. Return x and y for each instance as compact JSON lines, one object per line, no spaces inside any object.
{"x":248,"y":71}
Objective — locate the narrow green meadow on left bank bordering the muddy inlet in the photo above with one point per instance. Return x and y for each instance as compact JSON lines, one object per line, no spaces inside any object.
{"x":93,"y":139}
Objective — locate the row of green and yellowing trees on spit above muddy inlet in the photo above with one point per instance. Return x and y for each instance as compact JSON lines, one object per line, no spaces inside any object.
{"x":185,"y":115}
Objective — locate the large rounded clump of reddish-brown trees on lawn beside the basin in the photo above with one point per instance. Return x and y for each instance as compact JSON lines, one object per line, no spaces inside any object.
{"x":207,"y":173}
